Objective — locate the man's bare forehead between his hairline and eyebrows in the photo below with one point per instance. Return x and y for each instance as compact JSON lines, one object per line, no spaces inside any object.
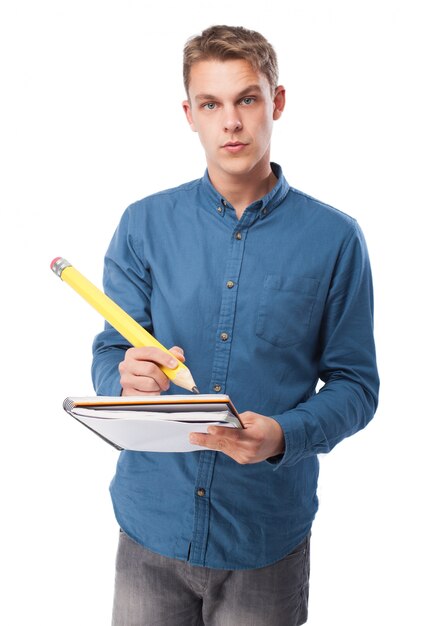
{"x":224,"y":77}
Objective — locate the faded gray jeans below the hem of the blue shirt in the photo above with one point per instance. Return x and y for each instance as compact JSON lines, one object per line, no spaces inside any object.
{"x":153,"y":590}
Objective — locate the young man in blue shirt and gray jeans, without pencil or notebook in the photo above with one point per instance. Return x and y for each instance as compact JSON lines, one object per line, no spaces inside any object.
{"x":265,"y":291}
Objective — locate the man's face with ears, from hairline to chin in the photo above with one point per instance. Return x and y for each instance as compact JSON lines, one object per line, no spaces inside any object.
{"x":232,"y":109}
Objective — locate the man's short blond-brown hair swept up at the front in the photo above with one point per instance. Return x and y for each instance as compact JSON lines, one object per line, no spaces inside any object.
{"x":231,"y":42}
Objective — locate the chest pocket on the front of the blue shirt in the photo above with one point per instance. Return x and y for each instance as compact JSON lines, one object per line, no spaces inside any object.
{"x":285,"y":309}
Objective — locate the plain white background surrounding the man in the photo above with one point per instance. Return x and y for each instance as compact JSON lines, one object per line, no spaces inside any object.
{"x":91,"y":121}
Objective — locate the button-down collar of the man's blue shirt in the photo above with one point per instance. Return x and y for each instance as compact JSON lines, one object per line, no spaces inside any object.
{"x":264,"y":205}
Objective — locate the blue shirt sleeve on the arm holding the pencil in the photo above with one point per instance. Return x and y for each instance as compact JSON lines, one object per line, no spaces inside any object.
{"x":127,"y":281}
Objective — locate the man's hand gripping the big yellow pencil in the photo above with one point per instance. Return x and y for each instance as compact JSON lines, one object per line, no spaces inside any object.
{"x":140,"y":372}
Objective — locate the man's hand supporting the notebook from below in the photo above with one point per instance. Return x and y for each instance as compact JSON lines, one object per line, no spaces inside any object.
{"x":261,"y":438}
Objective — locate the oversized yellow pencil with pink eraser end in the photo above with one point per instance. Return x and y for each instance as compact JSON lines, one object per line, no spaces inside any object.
{"x":120,"y":320}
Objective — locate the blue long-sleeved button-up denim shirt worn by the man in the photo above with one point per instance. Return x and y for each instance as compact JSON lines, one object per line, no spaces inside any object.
{"x":263,"y":307}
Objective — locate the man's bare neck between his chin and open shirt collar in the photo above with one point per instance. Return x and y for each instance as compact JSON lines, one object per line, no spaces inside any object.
{"x":241,"y":191}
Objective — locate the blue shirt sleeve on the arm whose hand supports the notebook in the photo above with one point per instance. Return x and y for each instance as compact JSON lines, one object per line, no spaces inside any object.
{"x":347,"y":364}
